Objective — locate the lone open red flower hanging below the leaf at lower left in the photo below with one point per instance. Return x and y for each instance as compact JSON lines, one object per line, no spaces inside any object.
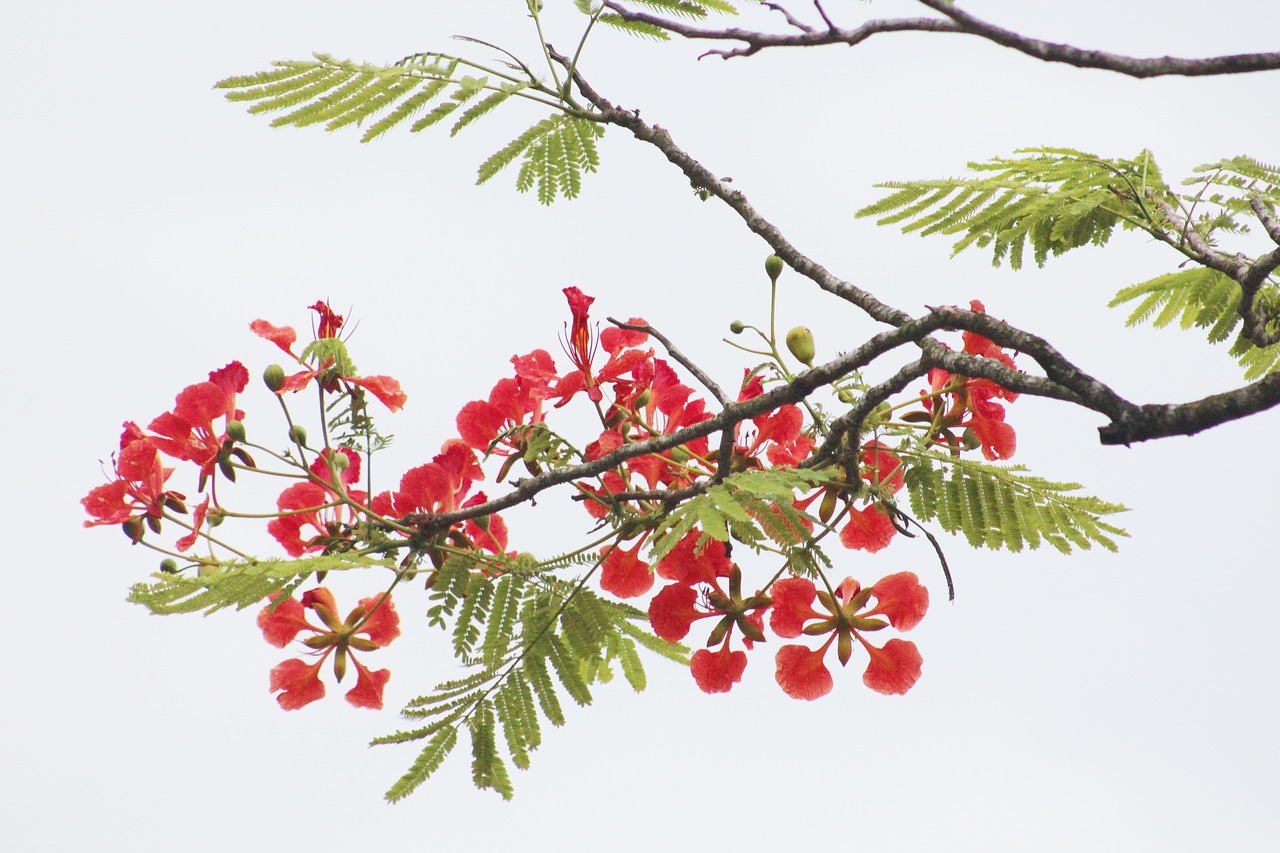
{"x":372,"y":626}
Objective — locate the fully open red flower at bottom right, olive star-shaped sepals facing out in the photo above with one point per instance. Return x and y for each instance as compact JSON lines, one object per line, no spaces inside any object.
{"x":802,"y":673}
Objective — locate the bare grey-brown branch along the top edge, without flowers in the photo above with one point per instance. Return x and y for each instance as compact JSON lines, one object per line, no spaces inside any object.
{"x":958,"y":21}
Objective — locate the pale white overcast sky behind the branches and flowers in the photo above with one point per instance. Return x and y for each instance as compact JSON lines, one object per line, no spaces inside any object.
{"x":1101,"y":703}
